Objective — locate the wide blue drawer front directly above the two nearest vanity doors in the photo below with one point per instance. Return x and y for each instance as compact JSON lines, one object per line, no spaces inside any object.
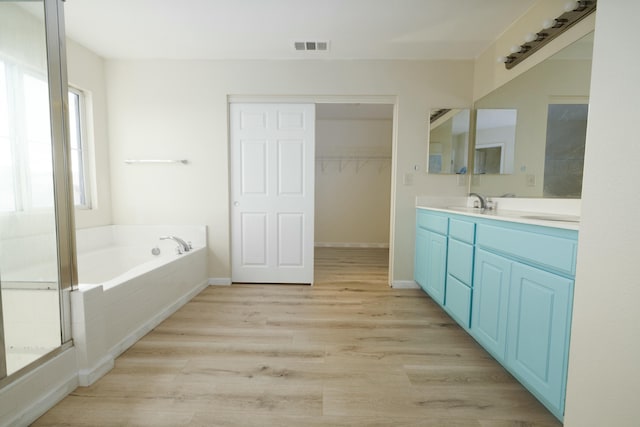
{"x":548,"y":251}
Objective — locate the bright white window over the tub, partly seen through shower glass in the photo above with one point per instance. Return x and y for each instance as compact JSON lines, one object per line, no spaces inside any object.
{"x":26,"y":174}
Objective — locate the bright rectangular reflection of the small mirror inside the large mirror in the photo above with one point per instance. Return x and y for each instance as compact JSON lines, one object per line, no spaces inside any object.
{"x":495,"y":141}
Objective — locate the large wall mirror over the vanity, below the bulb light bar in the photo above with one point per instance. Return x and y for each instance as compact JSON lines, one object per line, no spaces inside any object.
{"x":530,"y":132}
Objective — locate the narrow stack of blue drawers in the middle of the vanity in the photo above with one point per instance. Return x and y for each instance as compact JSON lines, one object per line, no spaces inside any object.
{"x":460,"y":255}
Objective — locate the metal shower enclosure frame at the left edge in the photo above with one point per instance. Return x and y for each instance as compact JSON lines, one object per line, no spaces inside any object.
{"x":62,"y":183}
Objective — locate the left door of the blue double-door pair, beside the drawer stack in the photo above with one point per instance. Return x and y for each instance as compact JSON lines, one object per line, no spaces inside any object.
{"x":490,"y":302}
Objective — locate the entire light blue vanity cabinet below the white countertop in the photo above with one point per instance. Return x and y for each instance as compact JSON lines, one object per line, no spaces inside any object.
{"x":510,"y":285}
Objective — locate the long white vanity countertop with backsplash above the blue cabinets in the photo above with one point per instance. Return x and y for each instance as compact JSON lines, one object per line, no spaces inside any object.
{"x":555,"y":213}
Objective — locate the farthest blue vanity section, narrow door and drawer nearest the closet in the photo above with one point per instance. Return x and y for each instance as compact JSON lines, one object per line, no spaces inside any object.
{"x":431,"y":253}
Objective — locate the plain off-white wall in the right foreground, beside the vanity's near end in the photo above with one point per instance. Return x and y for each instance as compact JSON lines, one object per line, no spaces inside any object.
{"x":604,"y":377}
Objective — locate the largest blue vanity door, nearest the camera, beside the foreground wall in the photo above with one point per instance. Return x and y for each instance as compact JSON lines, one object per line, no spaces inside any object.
{"x":539,"y":324}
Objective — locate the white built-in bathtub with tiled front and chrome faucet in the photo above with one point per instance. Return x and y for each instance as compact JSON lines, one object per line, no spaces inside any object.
{"x":125,"y":291}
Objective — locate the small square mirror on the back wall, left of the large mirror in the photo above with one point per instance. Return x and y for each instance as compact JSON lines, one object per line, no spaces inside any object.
{"x":449,"y":141}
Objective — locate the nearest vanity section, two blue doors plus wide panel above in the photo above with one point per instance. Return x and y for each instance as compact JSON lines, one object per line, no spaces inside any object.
{"x":523,"y":293}
